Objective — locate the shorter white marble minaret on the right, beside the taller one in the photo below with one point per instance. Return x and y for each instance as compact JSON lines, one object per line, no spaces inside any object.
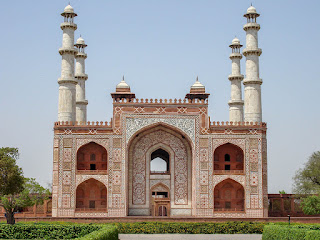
{"x":236,"y":102}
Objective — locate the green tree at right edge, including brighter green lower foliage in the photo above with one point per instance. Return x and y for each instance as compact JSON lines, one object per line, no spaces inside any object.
{"x":307,"y":185}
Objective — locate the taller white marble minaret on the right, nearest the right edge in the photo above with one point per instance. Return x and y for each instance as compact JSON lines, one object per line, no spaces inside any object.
{"x":252,"y":82}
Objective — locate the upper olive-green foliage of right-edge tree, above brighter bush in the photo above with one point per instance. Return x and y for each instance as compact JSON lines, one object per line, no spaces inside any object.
{"x":307,"y":179}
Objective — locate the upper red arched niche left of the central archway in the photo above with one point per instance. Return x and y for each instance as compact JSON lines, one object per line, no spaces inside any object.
{"x":92,"y":157}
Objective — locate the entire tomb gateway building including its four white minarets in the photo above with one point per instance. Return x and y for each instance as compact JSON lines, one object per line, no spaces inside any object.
{"x":210,"y":169}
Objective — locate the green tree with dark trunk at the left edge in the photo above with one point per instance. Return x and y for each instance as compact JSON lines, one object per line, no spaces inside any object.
{"x":17,"y":191}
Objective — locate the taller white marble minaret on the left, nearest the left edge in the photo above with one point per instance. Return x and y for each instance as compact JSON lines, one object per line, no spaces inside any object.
{"x":67,"y":81}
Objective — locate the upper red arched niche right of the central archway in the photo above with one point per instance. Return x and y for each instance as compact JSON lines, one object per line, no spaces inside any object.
{"x":228,"y":159}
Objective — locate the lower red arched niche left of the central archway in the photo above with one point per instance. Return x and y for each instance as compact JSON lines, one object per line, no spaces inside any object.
{"x":91,"y":195}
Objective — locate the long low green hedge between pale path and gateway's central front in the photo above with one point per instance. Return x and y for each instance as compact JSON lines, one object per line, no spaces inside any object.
{"x":191,"y":228}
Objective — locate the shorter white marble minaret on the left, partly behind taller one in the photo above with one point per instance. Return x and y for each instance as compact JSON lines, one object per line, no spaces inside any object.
{"x":81,"y":76}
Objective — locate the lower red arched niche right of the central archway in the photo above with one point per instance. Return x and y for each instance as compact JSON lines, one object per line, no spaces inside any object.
{"x":229,"y":196}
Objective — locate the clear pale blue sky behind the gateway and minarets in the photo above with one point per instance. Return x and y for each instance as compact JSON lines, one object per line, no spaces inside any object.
{"x":160,"y":47}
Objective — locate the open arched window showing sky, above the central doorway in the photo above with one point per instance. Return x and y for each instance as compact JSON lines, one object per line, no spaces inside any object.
{"x":160,"y":162}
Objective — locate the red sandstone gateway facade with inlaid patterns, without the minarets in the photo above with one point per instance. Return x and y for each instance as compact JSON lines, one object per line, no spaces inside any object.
{"x":213,"y":169}
